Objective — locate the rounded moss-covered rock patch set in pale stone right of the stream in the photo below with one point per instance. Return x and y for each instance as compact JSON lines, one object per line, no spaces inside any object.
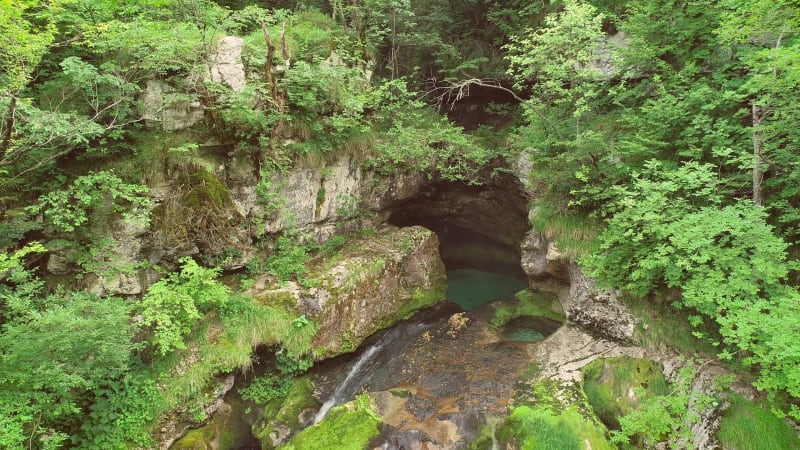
{"x":616,"y":386}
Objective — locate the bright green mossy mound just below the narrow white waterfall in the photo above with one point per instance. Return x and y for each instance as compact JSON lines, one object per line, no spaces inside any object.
{"x":347,"y":427}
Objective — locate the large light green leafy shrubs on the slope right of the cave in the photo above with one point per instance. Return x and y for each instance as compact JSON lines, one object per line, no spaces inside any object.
{"x":727,"y":261}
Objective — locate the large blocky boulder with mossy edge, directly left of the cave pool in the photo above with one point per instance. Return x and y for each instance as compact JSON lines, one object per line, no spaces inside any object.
{"x":370,"y":285}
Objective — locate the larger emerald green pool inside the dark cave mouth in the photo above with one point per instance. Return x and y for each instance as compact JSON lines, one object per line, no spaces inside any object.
{"x":471,"y":288}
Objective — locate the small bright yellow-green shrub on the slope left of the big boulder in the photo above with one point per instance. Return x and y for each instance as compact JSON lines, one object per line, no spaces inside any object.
{"x":173,"y":305}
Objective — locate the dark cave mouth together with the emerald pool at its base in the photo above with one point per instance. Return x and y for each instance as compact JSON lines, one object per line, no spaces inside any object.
{"x":480,"y":229}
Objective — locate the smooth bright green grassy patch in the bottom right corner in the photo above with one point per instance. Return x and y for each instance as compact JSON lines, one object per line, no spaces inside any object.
{"x":747,"y":426}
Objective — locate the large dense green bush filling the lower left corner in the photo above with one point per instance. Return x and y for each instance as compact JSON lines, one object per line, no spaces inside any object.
{"x":56,"y":359}
